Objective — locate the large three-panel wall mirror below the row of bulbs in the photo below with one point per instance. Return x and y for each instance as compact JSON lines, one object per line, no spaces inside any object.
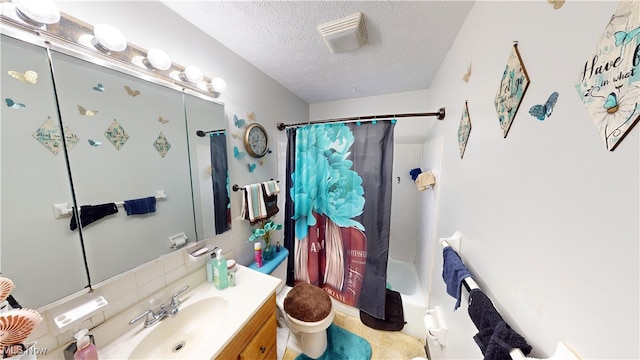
{"x":133,"y":172}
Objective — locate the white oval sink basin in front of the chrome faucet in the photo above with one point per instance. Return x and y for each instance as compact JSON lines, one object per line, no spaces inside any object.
{"x":188,"y":334}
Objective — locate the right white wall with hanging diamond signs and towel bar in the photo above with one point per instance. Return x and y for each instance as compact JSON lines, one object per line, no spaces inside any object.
{"x":549,"y":216}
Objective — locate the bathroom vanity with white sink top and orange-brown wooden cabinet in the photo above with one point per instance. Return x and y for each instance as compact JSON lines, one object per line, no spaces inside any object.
{"x":235,"y":323}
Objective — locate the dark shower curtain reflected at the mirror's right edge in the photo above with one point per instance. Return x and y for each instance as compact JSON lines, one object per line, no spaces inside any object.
{"x":220,"y":184}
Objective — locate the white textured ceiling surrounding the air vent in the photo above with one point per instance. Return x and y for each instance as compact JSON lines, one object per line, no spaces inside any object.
{"x":408,"y":40}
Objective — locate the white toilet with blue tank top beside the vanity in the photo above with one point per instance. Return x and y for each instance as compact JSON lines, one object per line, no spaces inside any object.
{"x":309,"y":337}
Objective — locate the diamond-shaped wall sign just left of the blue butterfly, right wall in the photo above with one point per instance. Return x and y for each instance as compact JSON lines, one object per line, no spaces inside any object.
{"x":513,"y":85}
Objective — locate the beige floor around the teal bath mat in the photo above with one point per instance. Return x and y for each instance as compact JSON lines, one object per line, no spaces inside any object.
{"x":385,"y":345}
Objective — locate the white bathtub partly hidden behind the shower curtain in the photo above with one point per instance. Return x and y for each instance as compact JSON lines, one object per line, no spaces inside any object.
{"x":403,"y":278}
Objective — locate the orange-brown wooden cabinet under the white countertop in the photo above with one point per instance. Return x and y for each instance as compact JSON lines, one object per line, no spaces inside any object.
{"x":257,"y":340}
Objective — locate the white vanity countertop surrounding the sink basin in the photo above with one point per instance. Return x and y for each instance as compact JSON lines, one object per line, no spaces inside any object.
{"x":252,"y":290}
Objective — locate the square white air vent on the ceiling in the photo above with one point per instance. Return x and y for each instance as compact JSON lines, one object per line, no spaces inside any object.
{"x":345,"y":34}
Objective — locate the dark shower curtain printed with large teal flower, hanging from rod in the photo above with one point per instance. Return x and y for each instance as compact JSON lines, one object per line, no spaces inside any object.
{"x":339,"y":208}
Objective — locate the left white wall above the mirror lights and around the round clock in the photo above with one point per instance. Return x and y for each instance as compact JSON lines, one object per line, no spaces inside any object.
{"x":149,"y":24}
